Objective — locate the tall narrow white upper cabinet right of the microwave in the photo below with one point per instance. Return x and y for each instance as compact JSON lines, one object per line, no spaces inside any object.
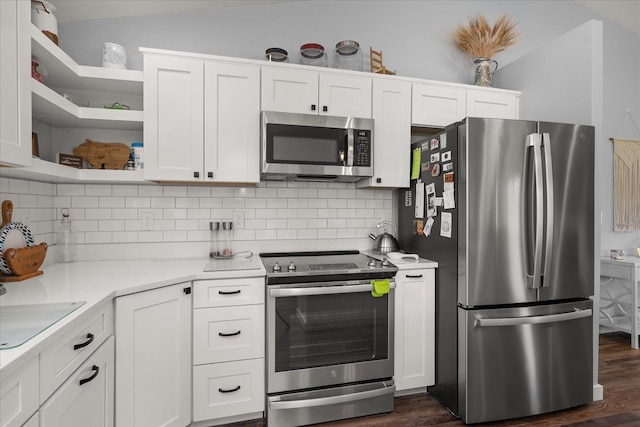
{"x":392,"y":134}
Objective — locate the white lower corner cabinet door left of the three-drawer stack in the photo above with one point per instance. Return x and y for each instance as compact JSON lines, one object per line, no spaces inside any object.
{"x":153,"y":357}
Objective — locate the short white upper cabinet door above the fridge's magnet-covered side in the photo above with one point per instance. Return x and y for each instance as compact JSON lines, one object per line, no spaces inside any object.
{"x":437,"y":105}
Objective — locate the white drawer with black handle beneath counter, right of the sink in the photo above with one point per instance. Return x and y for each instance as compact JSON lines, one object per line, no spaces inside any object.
{"x":60,"y":359}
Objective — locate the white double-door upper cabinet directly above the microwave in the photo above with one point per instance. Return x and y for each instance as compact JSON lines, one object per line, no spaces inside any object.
{"x":292,"y":90}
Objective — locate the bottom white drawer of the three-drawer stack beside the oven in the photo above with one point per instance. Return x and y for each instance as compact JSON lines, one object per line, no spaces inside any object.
{"x":227,"y":389}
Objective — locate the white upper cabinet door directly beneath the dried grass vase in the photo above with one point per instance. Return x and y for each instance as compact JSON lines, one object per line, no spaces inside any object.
{"x":492,"y":104}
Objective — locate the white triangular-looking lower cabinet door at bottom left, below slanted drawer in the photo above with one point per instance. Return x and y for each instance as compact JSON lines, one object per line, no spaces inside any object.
{"x":86,"y":398}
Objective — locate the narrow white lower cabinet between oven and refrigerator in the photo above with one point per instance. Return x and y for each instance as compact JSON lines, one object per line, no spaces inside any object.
{"x":414,"y":358}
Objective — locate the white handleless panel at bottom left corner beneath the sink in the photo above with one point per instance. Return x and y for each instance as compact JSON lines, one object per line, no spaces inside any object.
{"x":19,"y":395}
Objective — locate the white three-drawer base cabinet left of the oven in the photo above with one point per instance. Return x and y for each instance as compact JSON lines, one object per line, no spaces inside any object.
{"x":228,"y":350}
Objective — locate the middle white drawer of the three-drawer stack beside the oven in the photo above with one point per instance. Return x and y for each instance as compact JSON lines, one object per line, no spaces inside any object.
{"x":225,"y":334}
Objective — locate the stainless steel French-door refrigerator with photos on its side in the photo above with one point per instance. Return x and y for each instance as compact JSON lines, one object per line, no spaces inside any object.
{"x":506,"y":208}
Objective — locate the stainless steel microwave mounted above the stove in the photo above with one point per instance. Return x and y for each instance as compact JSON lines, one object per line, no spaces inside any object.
{"x":316,"y":148}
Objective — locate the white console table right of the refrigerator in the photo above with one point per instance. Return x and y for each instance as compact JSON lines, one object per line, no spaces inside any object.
{"x":619,"y":302}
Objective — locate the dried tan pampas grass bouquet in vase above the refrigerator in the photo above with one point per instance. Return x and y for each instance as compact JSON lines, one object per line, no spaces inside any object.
{"x":479,"y":40}
